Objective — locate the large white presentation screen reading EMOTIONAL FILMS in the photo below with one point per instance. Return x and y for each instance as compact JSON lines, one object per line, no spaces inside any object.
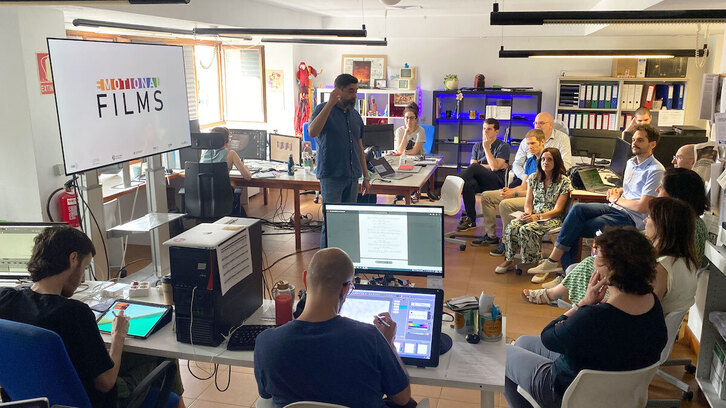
{"x":118,"y":101}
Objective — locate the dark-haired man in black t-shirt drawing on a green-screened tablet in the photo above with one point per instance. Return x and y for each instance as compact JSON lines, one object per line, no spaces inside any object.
{"x":60,"y":256}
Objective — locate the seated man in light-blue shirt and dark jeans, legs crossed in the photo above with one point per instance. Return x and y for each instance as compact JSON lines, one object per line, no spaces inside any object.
{"x":627,"y":205}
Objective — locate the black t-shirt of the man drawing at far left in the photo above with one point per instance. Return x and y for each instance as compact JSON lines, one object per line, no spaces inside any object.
{"x":74,"y":322}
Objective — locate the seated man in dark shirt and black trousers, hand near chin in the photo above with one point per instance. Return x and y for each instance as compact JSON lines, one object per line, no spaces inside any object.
{"x":489,"y":159}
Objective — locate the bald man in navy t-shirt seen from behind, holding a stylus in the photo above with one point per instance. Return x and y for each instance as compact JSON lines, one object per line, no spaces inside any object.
{"x":324,"y":357}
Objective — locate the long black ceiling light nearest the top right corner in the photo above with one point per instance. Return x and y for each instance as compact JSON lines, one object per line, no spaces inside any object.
{"x":605,"y":17}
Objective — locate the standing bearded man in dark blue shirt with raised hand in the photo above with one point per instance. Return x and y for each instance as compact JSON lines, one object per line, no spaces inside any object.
{"x":338,"y":131}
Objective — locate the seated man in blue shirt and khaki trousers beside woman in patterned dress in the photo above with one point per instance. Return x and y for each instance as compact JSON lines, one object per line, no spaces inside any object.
{"x":509,"y":200}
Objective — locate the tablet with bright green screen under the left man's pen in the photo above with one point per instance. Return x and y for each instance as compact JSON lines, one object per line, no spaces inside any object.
{"x":144,"y":318}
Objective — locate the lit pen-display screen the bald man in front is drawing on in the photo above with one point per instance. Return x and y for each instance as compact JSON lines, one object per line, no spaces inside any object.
{"x":416,"y":311}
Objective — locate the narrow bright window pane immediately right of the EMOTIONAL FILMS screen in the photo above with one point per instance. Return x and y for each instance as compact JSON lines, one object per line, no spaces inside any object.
{"x":208,"y":93}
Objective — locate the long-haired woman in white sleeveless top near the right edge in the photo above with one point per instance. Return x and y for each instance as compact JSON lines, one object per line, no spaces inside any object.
{"x":670,"y":225}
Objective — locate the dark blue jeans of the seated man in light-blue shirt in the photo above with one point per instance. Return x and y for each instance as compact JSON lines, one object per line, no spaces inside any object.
{"x":584,"y":220}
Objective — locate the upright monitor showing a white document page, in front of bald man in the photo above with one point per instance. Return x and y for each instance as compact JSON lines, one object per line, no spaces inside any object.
{"x":388,"y":239}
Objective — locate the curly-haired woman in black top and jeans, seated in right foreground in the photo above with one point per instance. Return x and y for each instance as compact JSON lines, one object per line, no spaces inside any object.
{"x":625,"y":332}
